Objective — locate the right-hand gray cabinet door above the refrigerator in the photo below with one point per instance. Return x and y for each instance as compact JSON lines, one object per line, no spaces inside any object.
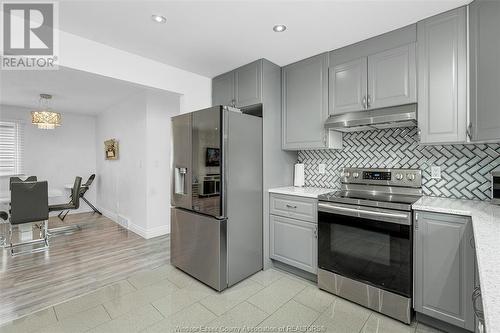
{"x":248,"y":84}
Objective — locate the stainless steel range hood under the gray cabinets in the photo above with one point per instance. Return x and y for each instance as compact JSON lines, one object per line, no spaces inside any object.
{"x":398,"y":116}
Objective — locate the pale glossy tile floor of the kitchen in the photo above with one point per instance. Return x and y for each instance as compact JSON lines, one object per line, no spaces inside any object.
{"x":166,"y":300}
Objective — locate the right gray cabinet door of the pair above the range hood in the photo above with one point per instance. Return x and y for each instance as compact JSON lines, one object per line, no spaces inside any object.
{"x":392,"y":77}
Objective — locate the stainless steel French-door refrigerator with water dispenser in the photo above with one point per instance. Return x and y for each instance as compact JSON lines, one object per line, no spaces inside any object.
{"x":217,"y":238}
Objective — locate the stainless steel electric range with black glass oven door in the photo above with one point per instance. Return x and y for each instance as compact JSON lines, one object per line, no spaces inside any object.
{"x":365,"y":239}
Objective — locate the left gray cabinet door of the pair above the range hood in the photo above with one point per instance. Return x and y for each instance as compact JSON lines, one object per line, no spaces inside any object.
{"x":348,"y":87}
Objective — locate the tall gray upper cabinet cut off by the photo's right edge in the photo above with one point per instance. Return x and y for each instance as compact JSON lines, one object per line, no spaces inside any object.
{"x":484,"y":58}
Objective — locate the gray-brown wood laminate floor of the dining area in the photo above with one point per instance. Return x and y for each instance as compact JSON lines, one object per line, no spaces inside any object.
{"x":99,"y":254}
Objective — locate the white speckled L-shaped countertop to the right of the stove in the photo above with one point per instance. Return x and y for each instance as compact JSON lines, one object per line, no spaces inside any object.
{"x":486,"y":228}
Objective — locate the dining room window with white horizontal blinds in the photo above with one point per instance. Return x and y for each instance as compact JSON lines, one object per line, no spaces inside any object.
{"x":11,"y":148}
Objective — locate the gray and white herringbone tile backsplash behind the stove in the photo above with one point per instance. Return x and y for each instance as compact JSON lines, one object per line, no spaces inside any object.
{"x":465,"y":169}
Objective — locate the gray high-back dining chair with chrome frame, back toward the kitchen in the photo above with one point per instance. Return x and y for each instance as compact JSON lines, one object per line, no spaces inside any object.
{"x":29,"y":203}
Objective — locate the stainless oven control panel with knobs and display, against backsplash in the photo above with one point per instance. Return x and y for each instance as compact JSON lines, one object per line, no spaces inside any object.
{"x":392,"y":177}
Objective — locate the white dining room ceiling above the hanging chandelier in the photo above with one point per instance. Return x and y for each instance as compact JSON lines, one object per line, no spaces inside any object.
{"x":72,"y":90}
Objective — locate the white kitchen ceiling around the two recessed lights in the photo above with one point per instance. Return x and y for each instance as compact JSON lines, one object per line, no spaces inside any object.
{"x":212,"y":37}
